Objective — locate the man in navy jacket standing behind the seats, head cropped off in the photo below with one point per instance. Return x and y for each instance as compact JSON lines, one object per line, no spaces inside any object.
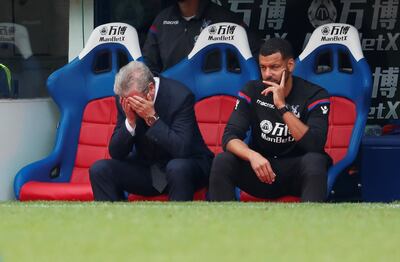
{"x":175,"y":30}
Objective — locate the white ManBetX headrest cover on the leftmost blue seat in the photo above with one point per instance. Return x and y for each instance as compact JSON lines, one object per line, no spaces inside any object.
{"x":120,"y":33}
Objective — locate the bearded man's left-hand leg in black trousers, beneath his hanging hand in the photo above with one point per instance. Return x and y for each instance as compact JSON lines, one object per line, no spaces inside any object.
{"x":229,"y":171}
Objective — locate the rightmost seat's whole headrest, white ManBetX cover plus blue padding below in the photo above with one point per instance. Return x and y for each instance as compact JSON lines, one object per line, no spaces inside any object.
{"x":333,"y":59}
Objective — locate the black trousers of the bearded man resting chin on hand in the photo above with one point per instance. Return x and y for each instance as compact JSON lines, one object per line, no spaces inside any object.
{"x":304,"y":176}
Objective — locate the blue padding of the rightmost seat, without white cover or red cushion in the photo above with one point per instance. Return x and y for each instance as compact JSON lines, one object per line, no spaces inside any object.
{"x":356,"y":86}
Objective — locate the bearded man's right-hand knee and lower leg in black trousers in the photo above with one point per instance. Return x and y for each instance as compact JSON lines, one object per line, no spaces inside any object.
{"x":313,"y":171}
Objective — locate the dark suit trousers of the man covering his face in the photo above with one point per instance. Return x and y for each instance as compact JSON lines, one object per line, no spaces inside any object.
{"x":110,"y":178}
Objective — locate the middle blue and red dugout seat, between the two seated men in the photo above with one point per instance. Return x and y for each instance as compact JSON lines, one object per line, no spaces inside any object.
{"x":215,"y":70}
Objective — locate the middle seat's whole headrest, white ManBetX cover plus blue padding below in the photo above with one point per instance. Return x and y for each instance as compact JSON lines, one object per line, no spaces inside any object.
{"x":219,"y":64}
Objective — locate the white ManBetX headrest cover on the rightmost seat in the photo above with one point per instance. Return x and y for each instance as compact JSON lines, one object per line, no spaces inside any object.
{"x":334,"y":33}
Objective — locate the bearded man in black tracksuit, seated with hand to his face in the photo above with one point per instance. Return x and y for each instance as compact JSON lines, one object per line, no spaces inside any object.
{"x":288,"y":119}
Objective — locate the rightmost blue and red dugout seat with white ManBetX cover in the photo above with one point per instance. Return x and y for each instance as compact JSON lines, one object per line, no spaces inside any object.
{"x":333,"y":59}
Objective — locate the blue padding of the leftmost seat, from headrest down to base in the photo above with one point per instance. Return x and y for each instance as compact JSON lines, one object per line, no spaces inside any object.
{"x":72,"y":87}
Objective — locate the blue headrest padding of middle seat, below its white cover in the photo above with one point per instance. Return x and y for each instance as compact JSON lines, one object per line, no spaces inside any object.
{"x":222,"y":82}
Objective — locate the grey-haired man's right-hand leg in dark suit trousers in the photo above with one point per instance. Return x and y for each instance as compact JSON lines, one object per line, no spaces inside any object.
{"x":185,"y":176}
